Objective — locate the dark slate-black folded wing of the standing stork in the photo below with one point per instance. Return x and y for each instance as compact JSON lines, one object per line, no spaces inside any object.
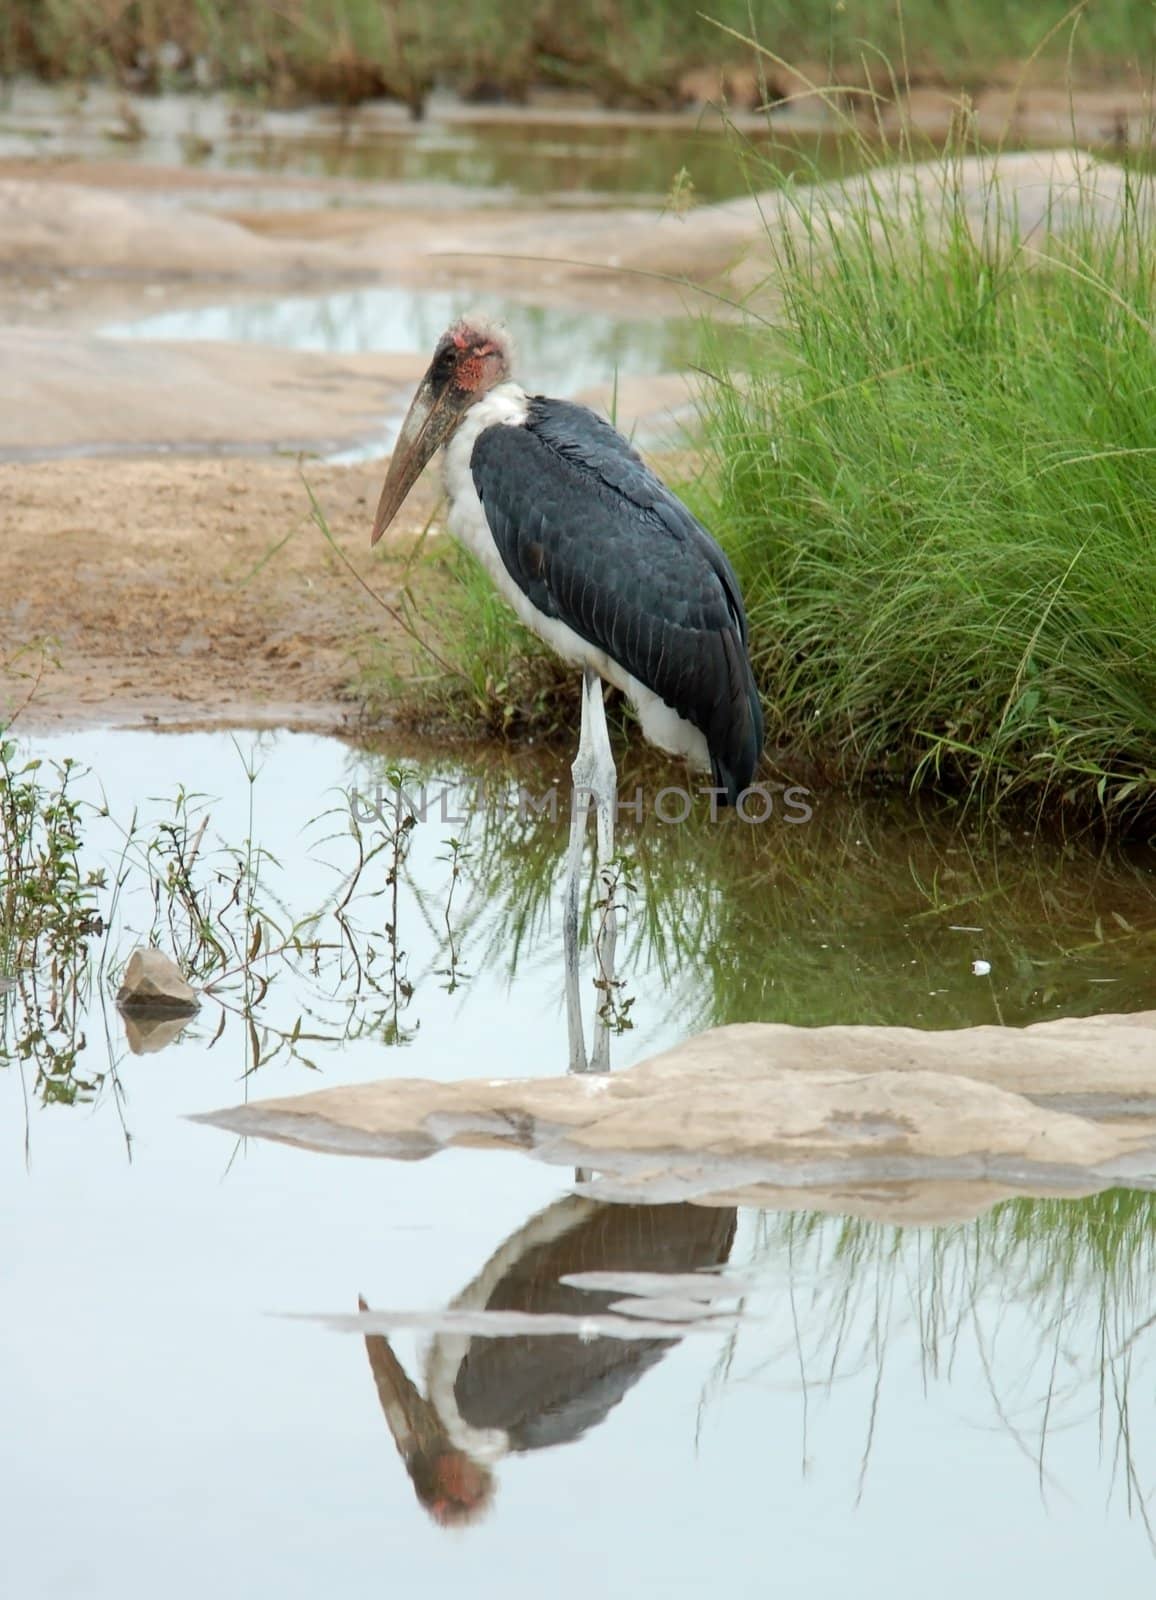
{"x":600,"y":543}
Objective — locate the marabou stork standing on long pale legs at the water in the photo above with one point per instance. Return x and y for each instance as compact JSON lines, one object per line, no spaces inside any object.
{"x":604,"y":564}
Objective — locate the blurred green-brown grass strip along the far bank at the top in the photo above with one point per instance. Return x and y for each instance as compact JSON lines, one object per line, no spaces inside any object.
{"x":632,"y":54}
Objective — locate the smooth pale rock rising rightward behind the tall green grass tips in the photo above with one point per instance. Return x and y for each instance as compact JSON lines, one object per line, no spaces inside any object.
{"x":1037,"y":196}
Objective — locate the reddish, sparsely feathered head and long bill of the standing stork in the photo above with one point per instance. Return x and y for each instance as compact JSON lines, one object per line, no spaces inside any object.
{"x":472,"y":358}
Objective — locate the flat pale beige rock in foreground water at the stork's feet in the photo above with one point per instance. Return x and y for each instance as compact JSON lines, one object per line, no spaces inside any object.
{"x":769,"y":1108}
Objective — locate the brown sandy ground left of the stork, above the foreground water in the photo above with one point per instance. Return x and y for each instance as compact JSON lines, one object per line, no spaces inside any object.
{"x":140,"y":591}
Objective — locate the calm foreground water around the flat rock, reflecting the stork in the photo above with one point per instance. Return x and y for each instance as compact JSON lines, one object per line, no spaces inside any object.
{"x":870,"y":1409}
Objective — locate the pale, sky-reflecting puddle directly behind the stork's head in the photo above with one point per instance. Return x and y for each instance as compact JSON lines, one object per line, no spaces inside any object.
{"x":564,"y":351}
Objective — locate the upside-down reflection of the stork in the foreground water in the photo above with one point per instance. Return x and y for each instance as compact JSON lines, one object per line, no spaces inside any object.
{"x":488,"y":1398}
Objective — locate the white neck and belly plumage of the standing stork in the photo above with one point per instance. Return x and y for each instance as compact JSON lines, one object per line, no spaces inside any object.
{"x":660,"y":722}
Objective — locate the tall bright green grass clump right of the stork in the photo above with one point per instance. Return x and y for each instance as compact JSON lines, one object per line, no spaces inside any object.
{"x":937,"y":478}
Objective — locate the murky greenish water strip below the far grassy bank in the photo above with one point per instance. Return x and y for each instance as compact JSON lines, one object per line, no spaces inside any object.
{"x":580,"y":161}
